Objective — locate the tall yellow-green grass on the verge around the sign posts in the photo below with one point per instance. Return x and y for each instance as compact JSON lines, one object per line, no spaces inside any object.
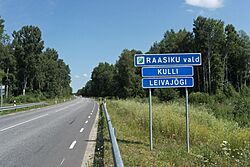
{"x":212,"y":141}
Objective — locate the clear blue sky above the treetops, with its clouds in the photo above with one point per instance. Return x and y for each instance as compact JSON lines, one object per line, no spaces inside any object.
{"x":87,"y":32}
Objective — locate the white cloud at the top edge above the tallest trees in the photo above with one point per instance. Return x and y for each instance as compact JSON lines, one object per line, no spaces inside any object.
{"x":210,"y":4}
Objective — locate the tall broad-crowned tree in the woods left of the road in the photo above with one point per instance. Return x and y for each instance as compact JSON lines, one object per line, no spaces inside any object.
{"x":28,"y":45}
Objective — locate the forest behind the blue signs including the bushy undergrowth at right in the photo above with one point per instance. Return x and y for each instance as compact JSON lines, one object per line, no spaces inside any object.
{"x":221,"y":83}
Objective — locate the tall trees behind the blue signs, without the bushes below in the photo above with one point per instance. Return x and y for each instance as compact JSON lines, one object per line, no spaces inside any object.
{"x":225,"y":62}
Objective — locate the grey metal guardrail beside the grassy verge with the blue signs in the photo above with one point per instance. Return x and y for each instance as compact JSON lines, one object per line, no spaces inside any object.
{"x":115,"y":149}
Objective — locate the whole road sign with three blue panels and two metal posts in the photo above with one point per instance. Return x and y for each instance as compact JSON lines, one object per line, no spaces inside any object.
{"x":167,"y":61}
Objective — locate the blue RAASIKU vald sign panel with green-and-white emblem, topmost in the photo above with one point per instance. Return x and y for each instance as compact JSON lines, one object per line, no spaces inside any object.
{"x":141,"y":60}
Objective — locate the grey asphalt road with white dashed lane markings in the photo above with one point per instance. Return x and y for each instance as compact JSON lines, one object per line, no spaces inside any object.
{"x":55,"y":136}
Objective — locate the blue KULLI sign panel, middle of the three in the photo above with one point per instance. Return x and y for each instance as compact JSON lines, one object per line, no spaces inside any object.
{"x":167,"y":71}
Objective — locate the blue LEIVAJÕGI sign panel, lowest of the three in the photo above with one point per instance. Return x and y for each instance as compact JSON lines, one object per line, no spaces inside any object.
{"x":167,"y":82}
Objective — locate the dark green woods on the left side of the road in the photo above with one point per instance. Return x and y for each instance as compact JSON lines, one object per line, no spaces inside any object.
{"x":27,"y":68}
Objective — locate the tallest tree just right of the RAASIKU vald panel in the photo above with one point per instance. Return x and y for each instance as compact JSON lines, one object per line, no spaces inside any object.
{"x":209,"y":39}
